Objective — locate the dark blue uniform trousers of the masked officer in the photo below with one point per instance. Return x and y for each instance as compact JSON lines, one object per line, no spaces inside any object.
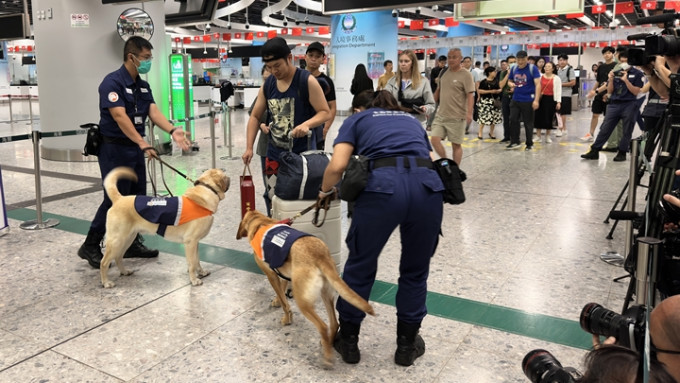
{"x":110,"y":157}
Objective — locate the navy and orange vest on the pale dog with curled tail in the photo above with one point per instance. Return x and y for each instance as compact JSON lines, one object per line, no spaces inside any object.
{"x":172,"y":211}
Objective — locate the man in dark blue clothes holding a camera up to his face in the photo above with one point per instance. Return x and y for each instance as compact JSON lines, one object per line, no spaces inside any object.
{"x":622,"y":90}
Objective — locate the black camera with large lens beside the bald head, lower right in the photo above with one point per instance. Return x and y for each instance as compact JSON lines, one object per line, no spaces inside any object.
{"x":628,"y":329}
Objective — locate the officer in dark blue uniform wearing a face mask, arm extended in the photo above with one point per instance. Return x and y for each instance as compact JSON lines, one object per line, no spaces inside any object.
{"x":125,"y":101}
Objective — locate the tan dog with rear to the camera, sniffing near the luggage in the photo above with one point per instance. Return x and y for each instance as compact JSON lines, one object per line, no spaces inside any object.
{"x":312,"y":272}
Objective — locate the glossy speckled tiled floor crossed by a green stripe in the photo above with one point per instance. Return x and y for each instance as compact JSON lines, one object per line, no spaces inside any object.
{"x":516,"y":264}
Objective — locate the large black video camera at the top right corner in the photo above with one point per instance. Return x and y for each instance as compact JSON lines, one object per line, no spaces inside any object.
{"x":666,"y":43}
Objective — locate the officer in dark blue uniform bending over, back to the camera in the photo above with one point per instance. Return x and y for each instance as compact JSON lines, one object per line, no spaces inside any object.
{"x":402,"y":190}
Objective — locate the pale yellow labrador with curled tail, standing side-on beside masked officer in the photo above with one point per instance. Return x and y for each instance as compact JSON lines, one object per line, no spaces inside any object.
{"x":186,"y":219}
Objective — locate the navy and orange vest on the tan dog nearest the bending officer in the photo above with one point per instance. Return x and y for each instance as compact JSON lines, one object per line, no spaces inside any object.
{"x":272,"y":244}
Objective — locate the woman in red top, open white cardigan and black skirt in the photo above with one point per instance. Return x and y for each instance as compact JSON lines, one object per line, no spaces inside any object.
{"x":550,"y":102}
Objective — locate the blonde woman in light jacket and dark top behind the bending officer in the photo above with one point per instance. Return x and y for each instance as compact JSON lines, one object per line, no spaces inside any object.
{"x":411,"y":89}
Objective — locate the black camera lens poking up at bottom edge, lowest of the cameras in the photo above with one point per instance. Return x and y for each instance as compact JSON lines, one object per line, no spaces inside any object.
{"x":540,"y":366}
